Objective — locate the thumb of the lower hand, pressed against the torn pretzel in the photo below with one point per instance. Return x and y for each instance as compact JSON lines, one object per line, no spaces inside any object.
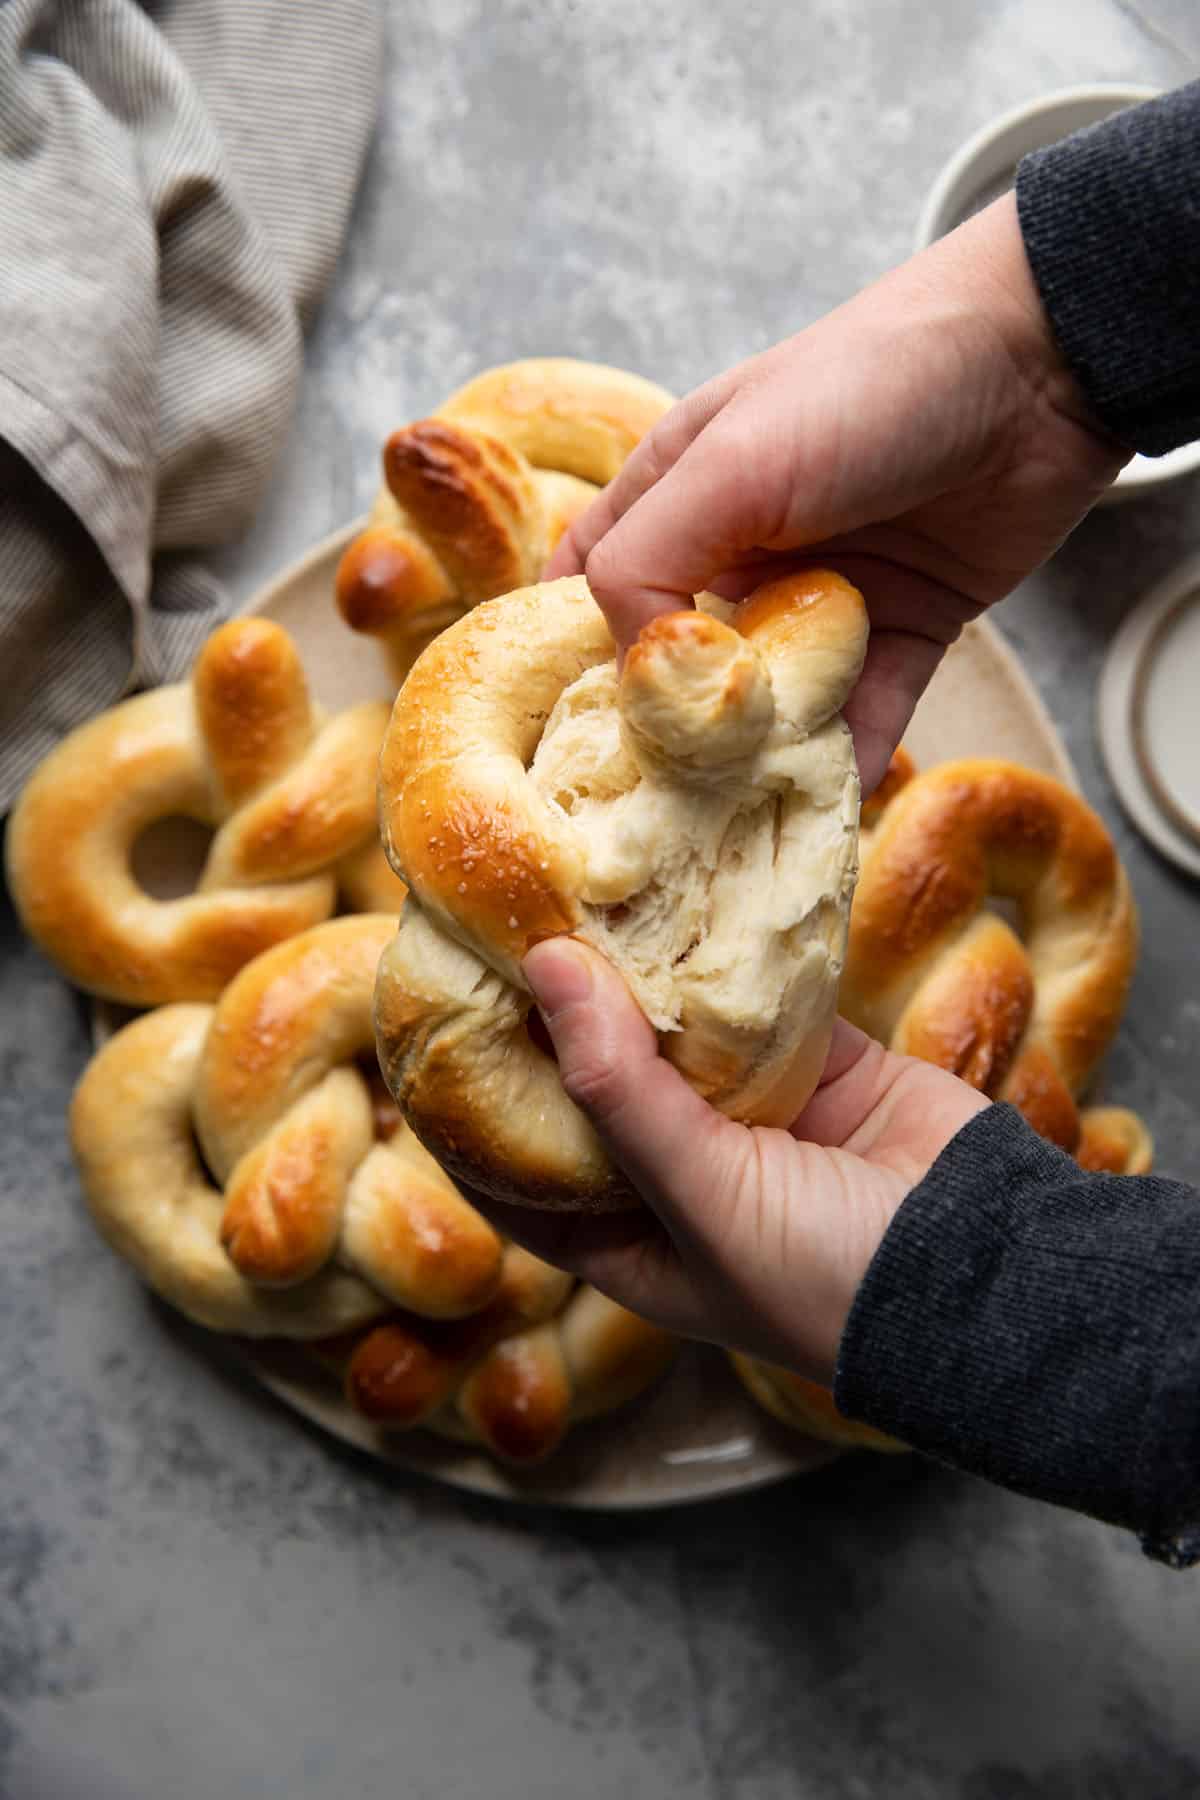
{"x":656,"y":1128}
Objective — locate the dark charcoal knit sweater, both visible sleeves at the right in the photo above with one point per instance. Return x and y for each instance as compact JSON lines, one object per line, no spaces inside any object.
{"x":1025,"y":1320}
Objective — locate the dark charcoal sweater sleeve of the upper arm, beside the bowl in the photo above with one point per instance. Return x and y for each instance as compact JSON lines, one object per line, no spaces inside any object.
{"x":1111,"y":222}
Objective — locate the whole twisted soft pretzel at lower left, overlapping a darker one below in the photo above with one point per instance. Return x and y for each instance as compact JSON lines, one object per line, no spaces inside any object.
{"x":300,"y":1223}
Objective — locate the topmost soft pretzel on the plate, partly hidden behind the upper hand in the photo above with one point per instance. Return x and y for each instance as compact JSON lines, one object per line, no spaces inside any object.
{"x":478,"y":496}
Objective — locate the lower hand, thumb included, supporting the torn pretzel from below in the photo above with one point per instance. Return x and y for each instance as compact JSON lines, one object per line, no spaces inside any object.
{"x":751,"y":1237}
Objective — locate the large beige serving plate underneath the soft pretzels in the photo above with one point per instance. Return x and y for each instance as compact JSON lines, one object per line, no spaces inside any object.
{"x":699,"y":1435}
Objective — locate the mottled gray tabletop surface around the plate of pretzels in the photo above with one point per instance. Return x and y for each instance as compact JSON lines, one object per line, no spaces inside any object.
{"x":204,"y":1599}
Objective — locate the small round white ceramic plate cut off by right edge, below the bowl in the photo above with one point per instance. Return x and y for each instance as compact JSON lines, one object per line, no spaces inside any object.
{"x":1147,"y":715}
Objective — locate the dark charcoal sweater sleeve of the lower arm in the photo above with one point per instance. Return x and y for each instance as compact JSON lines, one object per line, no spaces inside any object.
{"x":1041,"y":1327}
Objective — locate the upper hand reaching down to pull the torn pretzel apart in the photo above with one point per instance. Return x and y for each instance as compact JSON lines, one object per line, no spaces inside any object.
{"x":926,"y":440}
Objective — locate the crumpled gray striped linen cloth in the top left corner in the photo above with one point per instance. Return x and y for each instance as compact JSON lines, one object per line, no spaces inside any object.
{"x":175,"y":181}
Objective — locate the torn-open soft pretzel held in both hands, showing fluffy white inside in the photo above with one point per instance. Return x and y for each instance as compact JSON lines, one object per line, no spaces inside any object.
{"x":694,"y":820}
